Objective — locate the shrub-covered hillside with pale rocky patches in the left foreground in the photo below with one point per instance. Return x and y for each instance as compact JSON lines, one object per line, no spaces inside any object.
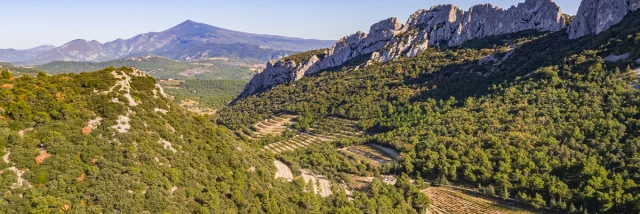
{"x":111,"y":142}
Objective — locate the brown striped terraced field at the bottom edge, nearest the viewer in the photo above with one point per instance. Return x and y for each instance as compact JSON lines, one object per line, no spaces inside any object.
{"x":447,"y":200}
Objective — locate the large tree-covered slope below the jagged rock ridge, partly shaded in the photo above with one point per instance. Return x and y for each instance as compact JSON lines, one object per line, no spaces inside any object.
{"x":548,"y":121}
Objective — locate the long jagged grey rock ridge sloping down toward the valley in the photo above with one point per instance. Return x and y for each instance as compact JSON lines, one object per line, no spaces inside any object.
{"x":389,"y":39}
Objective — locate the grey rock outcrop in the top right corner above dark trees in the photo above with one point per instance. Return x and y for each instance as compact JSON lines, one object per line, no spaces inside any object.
{"x":595,"y":16}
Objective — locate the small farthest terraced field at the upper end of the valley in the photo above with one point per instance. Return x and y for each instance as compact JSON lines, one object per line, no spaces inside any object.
{"x":272,"y":126}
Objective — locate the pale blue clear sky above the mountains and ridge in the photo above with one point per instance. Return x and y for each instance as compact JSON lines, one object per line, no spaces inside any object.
{"x":29,"y":23}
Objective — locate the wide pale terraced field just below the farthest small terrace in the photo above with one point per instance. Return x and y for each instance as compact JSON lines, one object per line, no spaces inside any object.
{"x":317,"y":135}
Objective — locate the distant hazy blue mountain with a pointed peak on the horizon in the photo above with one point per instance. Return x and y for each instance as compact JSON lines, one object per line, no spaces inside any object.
{"x":187,"y":41}
